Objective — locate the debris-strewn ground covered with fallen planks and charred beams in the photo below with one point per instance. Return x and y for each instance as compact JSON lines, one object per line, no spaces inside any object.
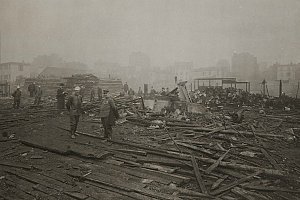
{"x":258,"y":159}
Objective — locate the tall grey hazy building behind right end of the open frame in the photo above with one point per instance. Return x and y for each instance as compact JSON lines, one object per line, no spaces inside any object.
{"x":244,"y":66}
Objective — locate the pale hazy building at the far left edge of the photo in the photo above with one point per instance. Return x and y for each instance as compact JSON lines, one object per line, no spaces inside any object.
{"x":12,"y":71}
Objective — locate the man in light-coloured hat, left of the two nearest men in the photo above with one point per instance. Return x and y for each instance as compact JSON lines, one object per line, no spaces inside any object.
{"x":74,"y":107}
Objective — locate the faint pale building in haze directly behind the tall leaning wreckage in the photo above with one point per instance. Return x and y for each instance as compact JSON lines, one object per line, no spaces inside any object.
{"x":182,"y":70}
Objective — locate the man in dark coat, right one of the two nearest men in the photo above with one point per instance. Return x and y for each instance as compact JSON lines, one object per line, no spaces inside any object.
{"x":108,"y":114}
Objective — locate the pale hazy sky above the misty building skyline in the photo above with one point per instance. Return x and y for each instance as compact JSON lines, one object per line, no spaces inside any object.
{"x":201,"y":31}
